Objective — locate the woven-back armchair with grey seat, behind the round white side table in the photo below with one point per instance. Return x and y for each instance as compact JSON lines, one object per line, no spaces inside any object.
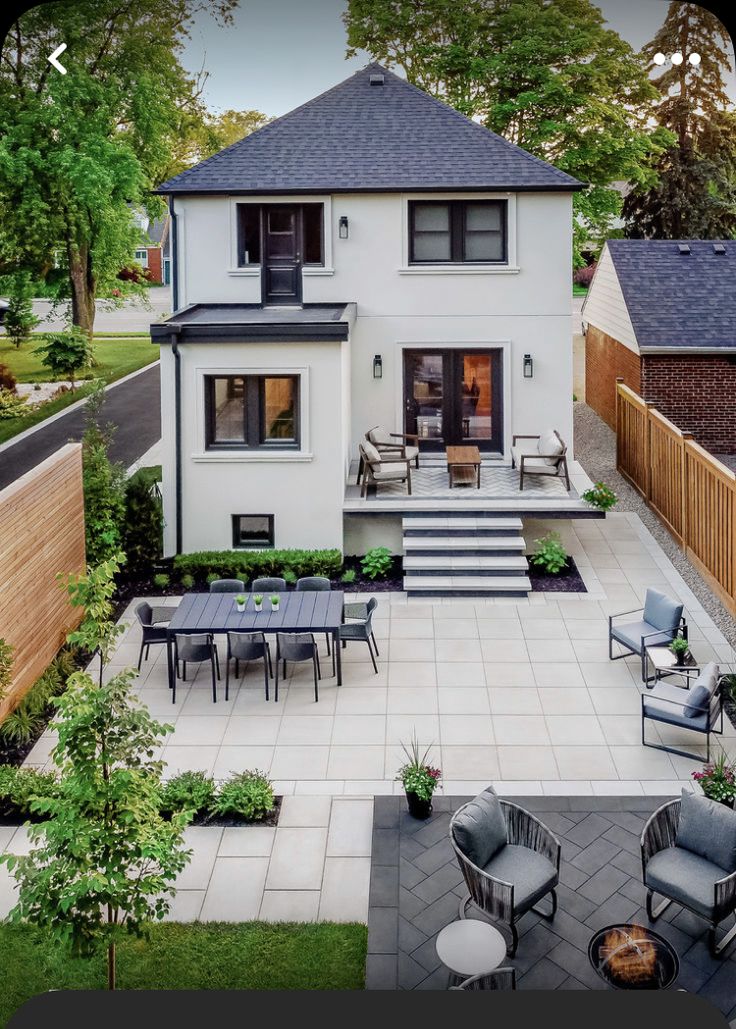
{"x":513,"y":882}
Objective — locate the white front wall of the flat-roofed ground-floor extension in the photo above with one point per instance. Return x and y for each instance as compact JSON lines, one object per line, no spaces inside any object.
{"x":303,"y":489}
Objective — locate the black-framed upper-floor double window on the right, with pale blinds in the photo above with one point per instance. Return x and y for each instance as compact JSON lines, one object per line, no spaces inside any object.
{"x":459,"y":232}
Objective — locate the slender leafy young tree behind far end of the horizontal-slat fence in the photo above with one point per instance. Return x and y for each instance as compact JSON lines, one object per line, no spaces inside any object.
{"x":103,"y":484}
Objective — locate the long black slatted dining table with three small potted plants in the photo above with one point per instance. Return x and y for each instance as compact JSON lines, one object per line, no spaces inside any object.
{"x":300,"y":612}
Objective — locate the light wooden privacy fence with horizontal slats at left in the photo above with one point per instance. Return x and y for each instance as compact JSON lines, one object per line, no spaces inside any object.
{"x":42,"y":535}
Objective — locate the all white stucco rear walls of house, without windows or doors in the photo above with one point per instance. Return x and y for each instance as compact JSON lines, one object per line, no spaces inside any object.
{"x":522,"y":308}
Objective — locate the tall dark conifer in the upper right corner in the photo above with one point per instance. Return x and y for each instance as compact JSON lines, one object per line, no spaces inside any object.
{"x":695,"y":195}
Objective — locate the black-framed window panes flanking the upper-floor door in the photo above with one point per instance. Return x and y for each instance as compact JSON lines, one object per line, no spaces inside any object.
{"x":251,"y":232}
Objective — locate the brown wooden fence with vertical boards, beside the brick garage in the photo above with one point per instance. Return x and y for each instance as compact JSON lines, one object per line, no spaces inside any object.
{"x":687,"y":488}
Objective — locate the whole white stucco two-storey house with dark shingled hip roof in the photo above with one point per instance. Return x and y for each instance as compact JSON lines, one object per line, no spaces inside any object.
{"x":372,"y":258}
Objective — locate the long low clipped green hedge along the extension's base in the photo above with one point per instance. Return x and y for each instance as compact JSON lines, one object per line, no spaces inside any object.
{"x":208,"y":565}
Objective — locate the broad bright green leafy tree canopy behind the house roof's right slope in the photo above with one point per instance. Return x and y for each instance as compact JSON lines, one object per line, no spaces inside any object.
{"x":546,"y":75}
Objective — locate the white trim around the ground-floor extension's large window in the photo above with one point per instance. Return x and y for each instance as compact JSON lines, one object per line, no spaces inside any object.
{"x":253,"y":456}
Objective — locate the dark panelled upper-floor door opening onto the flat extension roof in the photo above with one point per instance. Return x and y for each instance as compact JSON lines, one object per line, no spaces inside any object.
{"x":283,"y":255}
